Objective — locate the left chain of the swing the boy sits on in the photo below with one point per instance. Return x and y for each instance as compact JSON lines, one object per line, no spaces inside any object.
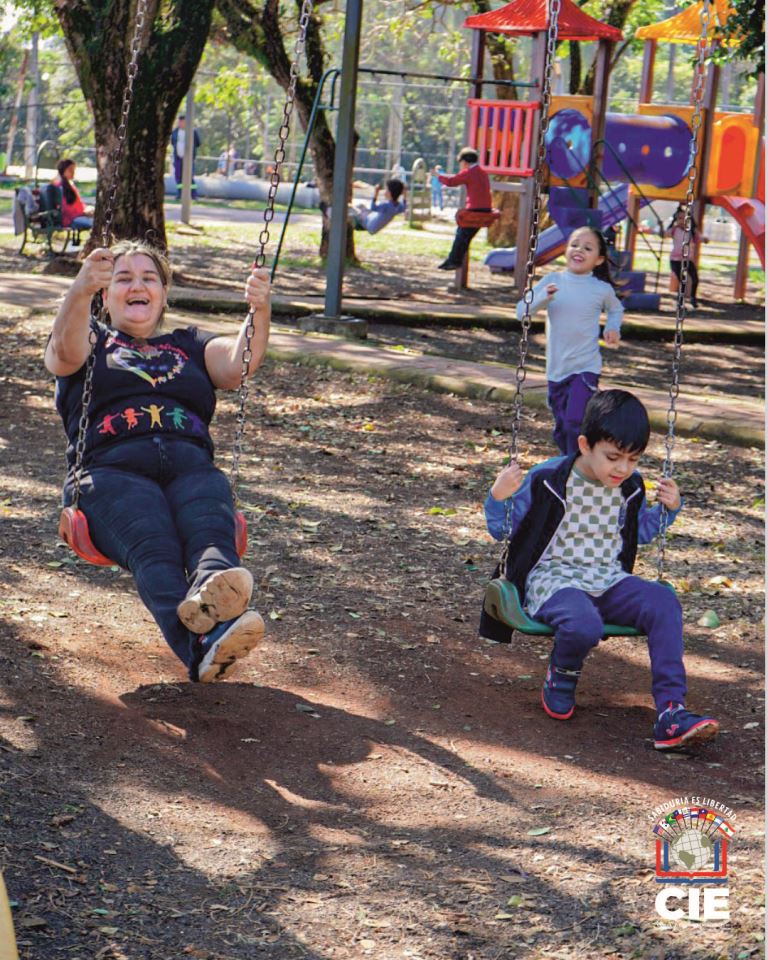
{"x":533,"y":239}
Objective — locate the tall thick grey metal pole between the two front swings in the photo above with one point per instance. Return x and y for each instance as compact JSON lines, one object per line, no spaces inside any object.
{"x":345,"y":154}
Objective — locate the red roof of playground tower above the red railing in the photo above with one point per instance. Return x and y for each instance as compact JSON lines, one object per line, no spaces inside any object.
{"x":523,"y":18}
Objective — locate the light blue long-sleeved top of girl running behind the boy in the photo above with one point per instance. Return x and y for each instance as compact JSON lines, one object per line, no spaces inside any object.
{"x":573,"y":321}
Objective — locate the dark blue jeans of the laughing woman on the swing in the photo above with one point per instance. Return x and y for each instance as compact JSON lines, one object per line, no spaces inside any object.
{"x":158,"y":507}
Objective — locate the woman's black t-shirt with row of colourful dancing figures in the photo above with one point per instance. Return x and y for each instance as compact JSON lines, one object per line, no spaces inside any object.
{"x":141,"y":388}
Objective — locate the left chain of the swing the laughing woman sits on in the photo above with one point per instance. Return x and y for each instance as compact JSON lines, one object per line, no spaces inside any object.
{"x":98,"y":308}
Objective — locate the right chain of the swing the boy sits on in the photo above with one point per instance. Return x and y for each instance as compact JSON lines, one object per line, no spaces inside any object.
{"x":690,"y":197}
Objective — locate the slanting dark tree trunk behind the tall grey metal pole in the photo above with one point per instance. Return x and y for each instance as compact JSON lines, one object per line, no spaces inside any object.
{"x":258,"y":32}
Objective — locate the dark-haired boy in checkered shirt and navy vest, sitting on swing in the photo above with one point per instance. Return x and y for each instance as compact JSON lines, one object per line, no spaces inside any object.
{"x":574,"y":526}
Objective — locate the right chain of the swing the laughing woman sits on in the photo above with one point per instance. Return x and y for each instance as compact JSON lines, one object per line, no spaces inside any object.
{"x":269,"y":213}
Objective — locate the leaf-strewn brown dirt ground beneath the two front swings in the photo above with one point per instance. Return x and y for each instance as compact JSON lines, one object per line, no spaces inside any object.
{"x":375,"y":782}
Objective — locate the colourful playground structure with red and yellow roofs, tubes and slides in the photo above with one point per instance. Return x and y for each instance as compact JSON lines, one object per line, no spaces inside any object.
{"x":603,"y":168}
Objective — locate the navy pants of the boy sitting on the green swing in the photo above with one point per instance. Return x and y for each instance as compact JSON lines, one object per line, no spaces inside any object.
{"x":577,"y":619}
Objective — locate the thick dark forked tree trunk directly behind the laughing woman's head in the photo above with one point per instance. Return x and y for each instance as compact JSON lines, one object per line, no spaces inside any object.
{"x":98,"y":38}
